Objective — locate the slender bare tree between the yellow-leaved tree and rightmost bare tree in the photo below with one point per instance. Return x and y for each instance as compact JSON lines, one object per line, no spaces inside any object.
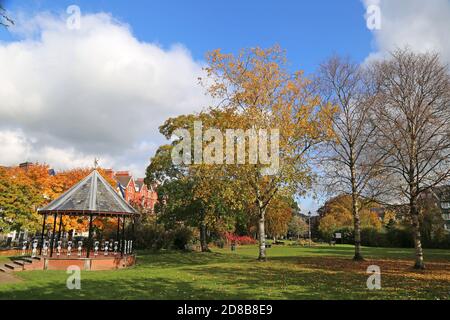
{"x":349,"y":166}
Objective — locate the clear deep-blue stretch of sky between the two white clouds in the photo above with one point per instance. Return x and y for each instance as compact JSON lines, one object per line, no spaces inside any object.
{"x":310,"y":31}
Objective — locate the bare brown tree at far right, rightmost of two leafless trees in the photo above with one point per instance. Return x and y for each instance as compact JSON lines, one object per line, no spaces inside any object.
{"x":412,"y":117}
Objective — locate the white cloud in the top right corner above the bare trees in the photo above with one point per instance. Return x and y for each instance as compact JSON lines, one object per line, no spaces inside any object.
{"x":421,"y":25}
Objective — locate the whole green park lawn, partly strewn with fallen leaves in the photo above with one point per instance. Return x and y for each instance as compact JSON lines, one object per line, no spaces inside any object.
{"x":290,"y":273}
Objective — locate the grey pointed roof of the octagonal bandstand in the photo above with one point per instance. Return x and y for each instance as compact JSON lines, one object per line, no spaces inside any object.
{"x":92,"y":195}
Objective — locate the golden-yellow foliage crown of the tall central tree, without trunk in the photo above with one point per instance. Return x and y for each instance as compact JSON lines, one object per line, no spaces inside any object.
{"x":256,"y":90}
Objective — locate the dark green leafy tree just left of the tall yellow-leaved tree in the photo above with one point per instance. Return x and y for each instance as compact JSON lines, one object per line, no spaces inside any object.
{"x":197,"y":194}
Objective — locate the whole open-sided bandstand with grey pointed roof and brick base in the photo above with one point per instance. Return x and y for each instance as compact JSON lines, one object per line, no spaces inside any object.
{"x":93,"y":199}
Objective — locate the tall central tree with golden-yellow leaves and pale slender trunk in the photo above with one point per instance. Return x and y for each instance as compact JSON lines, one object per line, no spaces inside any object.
{"x":256,"y":91}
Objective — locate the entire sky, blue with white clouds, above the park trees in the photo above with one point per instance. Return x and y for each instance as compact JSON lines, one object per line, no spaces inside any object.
{"x":107,"y":87}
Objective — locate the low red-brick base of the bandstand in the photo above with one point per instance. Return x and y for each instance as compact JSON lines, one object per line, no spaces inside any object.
{"x":87,"y":264}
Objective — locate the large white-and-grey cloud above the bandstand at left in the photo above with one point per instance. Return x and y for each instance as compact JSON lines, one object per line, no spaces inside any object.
{"x":96,"y":91}
